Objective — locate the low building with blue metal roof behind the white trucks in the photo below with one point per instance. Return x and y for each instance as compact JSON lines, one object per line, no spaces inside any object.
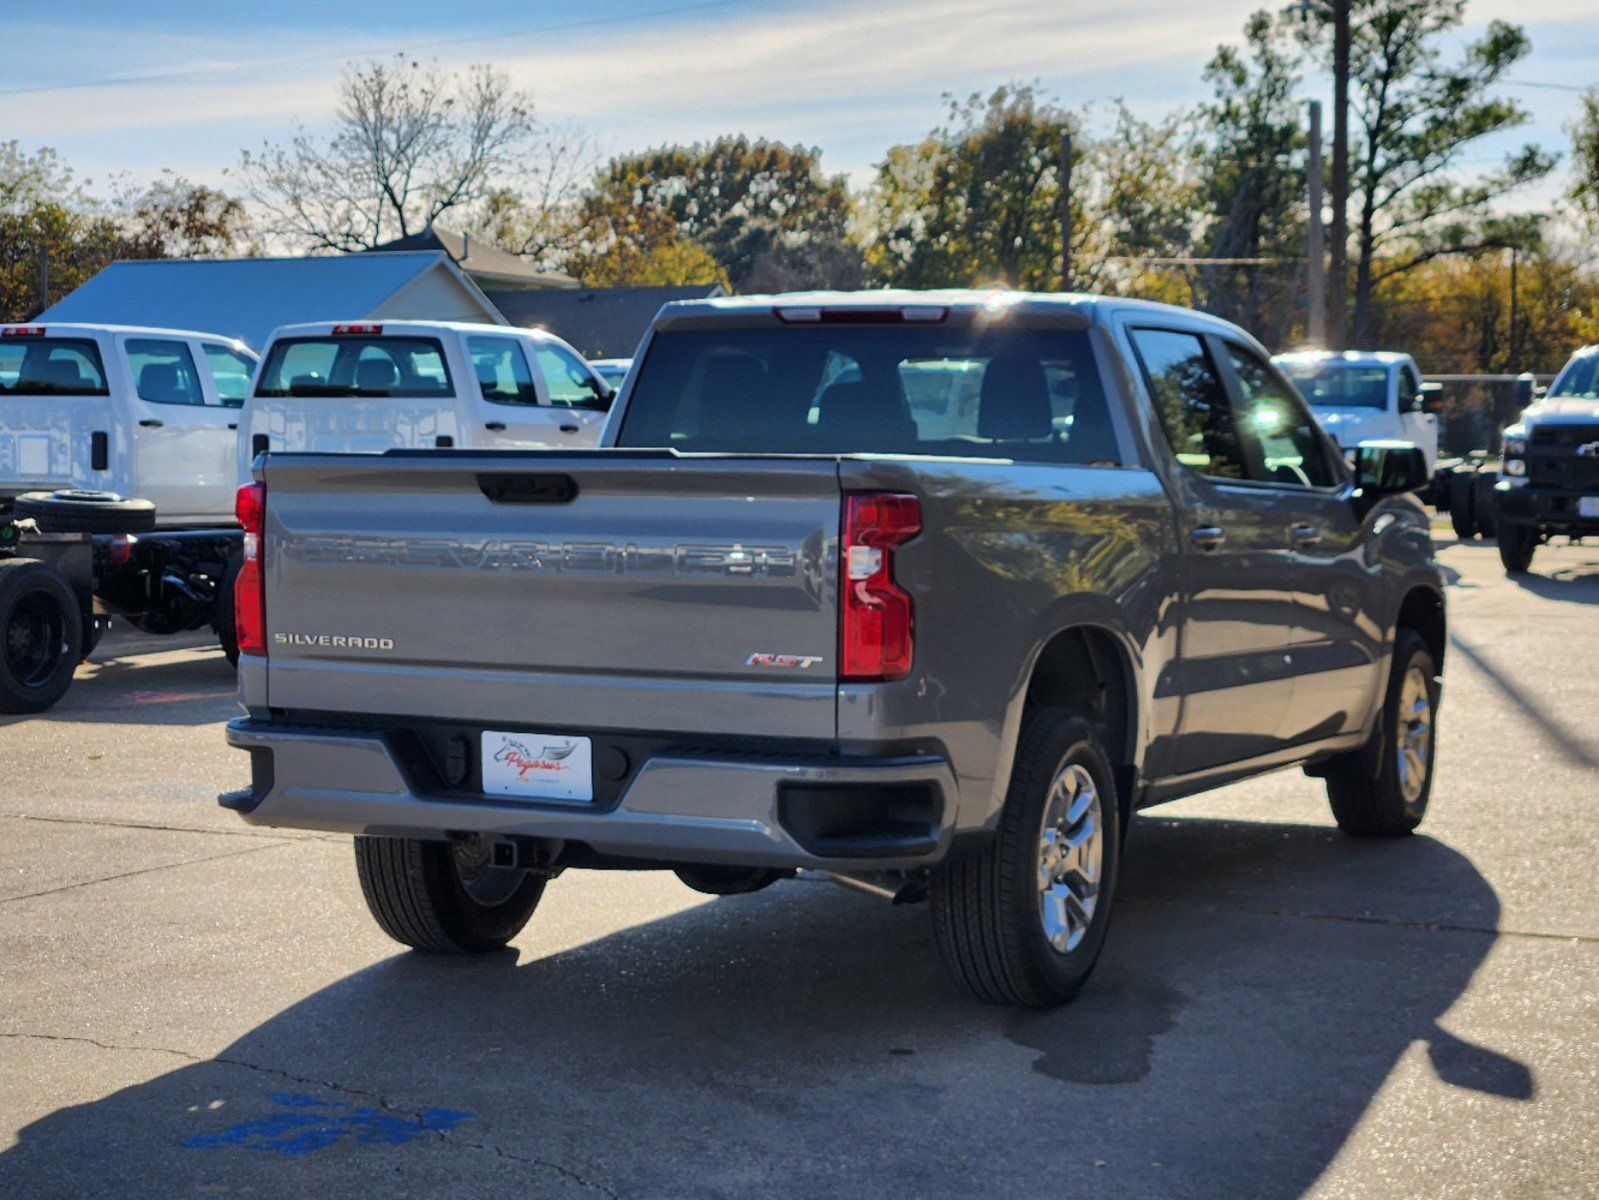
{"x":247,"y":298}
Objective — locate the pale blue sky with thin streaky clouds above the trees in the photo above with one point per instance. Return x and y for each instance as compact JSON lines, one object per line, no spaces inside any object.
{"x":134,"y":89}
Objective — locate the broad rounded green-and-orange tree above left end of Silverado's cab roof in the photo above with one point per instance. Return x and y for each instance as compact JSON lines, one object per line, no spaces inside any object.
{"x":765,"y":212}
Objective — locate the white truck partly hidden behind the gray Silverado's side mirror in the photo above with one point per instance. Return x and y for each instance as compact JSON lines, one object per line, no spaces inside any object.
{"x":1366,"y":396}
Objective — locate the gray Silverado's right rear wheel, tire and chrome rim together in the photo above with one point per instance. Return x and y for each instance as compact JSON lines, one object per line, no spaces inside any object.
{"x":1024,"y":921}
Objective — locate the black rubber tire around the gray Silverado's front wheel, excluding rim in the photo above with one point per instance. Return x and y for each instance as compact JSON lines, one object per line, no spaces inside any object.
{"x":1366,"y":788}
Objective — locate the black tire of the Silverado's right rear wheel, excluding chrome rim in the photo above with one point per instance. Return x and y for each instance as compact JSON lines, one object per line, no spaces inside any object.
{"x":987,"y":910}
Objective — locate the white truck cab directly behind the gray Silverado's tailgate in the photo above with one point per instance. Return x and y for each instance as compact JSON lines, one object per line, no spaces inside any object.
{"x":373,"y":386}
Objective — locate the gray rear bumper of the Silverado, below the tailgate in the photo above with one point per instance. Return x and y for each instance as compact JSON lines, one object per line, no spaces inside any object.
{"x":738,"y":810}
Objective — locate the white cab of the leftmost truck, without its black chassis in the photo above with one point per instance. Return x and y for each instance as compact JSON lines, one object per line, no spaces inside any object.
{"x":145,"y":414}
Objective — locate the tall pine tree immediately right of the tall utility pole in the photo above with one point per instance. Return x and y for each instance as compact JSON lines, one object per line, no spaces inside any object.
{"x":1414,"y":118}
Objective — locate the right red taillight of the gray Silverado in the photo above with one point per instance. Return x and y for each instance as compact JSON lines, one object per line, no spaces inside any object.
{"x":877,"y":620}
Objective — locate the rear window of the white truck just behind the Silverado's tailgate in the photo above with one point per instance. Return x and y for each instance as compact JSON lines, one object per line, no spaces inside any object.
{"x":356,"y":367}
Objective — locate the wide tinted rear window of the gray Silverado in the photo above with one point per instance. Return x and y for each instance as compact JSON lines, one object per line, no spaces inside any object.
{"x":874,"y":390}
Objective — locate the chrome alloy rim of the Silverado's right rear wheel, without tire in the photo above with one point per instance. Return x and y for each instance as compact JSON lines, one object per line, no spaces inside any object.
{"x":1071,"y":857}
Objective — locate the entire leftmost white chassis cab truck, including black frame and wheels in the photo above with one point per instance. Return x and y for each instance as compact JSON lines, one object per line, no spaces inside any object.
{"x":118,"y":479}
